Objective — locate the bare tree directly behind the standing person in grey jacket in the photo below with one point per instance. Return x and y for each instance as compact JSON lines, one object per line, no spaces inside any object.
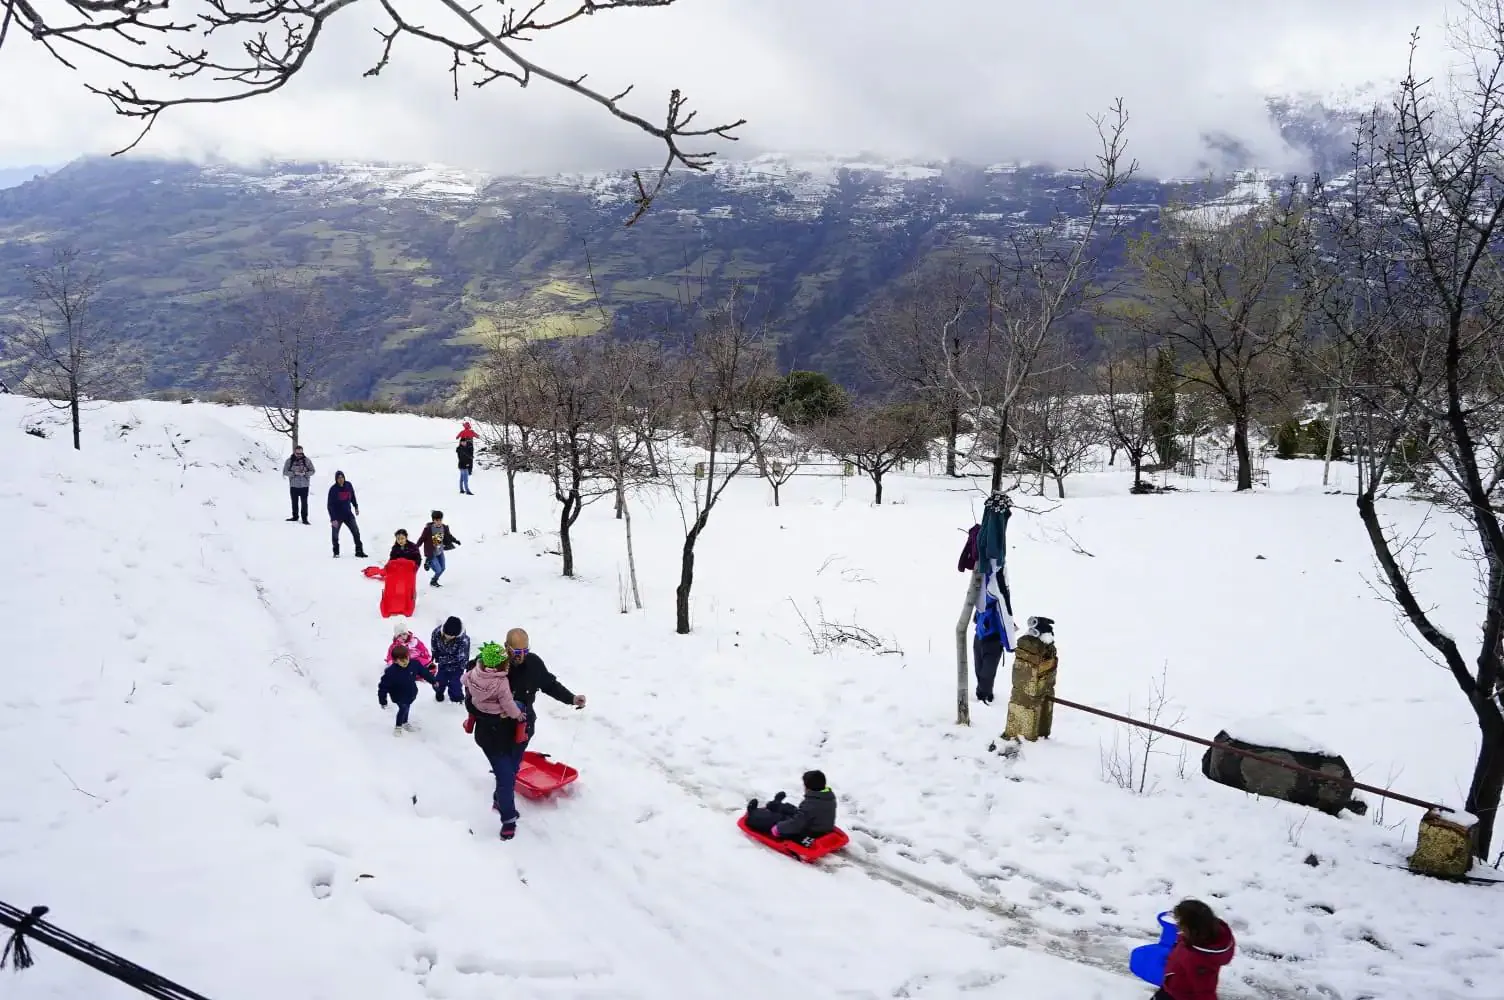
{"x":293,"y":342}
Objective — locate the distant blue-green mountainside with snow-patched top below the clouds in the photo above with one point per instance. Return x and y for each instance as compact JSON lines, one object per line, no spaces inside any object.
{"x":422,"y":255}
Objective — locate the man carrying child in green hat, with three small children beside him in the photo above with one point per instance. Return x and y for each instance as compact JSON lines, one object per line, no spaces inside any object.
{"x":499,"y":688}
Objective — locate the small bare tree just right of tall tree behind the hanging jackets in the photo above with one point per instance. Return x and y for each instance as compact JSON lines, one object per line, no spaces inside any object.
{"x":1057,"y":426}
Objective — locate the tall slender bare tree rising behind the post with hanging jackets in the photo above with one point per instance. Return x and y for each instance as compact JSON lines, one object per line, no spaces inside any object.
{"x":1034,"y":288}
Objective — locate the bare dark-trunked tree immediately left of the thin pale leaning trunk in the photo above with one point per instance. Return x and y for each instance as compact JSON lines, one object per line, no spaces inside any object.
{"x":563,"y":387}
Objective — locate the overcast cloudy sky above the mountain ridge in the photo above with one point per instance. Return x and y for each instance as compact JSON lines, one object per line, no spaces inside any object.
{"x":981,"y":80}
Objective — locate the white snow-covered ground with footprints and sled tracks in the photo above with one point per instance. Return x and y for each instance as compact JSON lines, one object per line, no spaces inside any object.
{"x":199,"y":775}
